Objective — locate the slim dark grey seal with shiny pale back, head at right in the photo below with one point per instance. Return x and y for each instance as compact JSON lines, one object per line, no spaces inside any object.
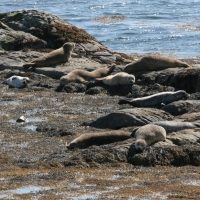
{"x":155,"y":99}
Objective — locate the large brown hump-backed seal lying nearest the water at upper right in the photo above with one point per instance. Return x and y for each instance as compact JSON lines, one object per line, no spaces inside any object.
{"x":154,"y":63}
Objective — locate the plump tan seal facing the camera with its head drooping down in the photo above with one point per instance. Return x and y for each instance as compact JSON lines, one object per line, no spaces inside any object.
{"x":148,"y":135}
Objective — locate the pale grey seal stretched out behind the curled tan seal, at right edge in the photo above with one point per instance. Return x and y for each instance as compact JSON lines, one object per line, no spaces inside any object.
{"x":174,"y":126}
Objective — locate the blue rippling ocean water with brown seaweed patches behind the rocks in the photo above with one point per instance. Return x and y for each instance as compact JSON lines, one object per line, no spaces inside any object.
{"x":130,"y":26}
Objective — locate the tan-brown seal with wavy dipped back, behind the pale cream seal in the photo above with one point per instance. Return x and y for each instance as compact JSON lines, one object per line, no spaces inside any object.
{"x":83,"y":76}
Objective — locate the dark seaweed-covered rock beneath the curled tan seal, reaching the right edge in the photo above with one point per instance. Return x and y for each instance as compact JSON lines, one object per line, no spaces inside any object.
{"x":168,"y":155}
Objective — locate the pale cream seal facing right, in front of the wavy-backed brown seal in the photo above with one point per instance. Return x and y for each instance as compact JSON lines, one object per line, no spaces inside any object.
{"x":121,"y":78}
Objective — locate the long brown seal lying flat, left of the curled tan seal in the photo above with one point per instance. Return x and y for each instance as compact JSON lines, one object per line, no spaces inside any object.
{"x":100,"y":138}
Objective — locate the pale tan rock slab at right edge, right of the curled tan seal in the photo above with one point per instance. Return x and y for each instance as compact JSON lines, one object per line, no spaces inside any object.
{"x":188,"y":136}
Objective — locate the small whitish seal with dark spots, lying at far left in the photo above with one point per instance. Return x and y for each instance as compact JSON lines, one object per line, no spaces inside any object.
{"x":17,"y":81}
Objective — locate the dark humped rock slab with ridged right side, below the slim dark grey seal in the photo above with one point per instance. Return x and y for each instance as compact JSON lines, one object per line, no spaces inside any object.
{"x":130,"y":117}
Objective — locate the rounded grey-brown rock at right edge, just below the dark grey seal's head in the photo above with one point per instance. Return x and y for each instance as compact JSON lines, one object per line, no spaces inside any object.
{"x":181,"y":107}
